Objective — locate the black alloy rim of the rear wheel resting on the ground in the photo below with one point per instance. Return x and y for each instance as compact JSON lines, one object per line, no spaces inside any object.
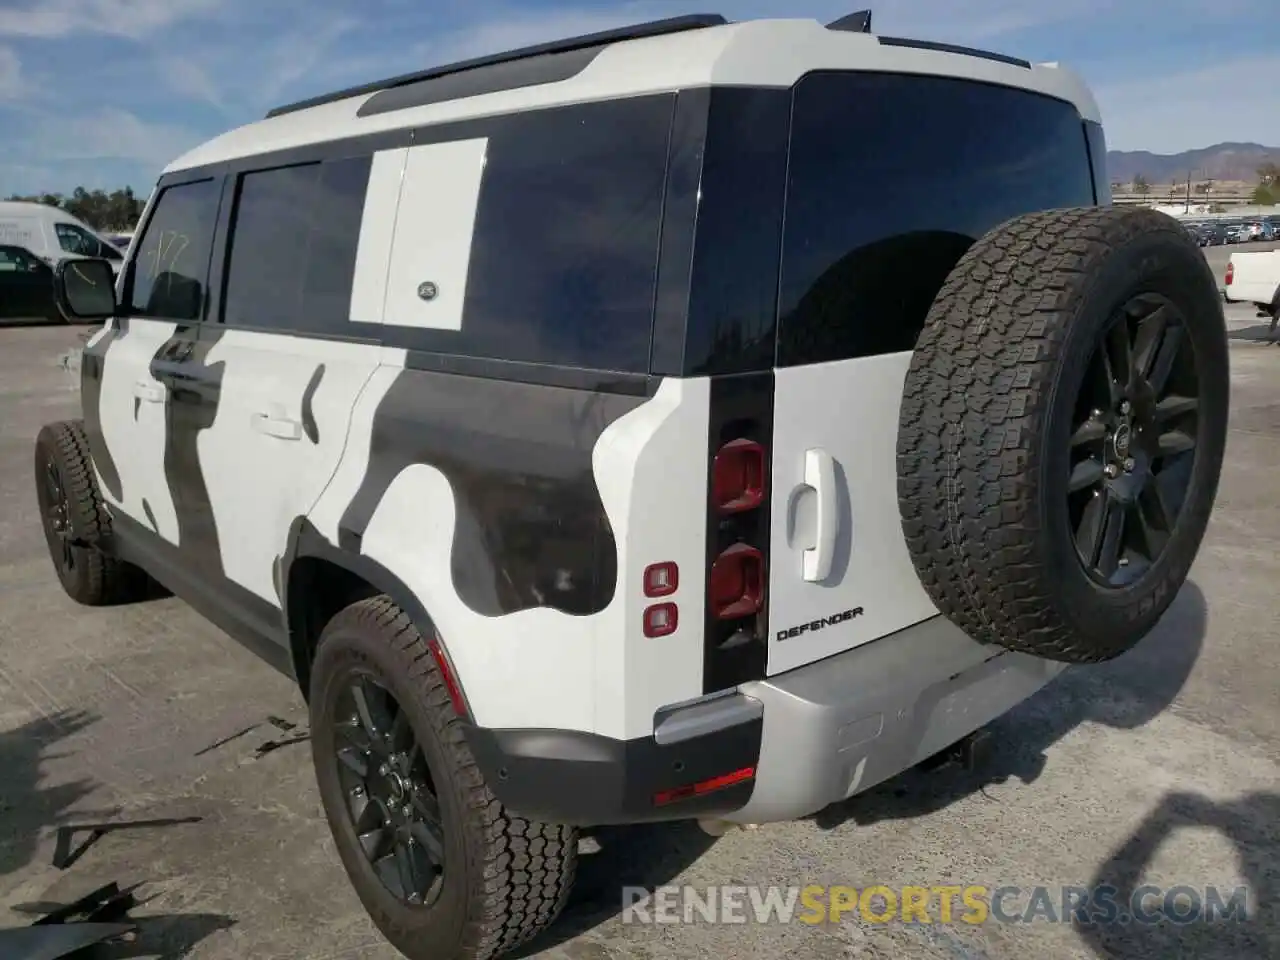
{"x":391,"y":797}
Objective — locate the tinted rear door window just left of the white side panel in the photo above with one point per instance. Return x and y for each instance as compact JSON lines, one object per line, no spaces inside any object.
{"x":294,"y":246}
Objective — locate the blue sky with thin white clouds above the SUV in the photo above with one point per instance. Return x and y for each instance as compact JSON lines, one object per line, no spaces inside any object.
{"x":106,"y":93}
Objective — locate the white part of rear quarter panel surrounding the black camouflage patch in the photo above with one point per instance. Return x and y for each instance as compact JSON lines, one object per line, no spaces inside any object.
{"x":542,"y":668}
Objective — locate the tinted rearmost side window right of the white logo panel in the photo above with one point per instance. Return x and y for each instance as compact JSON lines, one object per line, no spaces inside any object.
{"x":565,"y":250}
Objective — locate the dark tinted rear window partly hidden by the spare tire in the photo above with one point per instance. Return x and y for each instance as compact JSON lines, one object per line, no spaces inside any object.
{"x":892,"y":180}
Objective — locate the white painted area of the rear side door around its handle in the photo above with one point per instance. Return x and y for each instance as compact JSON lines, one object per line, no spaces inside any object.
{"x":262,"y":469}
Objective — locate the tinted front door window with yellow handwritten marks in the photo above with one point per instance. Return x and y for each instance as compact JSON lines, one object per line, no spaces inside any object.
{"x":171,"y":271}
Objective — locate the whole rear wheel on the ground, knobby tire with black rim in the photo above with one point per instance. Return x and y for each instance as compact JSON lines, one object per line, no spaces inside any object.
{"x":444,"y":870}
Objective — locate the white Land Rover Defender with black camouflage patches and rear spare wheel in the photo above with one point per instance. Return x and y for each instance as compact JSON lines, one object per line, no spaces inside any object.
{"x":696,"y":420}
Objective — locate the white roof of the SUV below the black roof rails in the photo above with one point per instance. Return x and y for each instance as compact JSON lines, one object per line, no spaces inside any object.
{"x":756,"y":53}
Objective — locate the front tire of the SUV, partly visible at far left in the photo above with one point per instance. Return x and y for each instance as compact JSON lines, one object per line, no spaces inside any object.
{"x":95,"y":578}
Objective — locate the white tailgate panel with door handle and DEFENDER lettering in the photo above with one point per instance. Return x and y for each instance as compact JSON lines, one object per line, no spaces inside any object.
{"x":848,"y":412}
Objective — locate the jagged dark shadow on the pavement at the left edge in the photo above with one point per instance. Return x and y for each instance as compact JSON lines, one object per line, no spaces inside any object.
{"x":26,"y":806}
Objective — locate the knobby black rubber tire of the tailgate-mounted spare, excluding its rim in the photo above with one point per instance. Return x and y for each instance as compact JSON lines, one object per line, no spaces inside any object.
{"x":988,"y":403}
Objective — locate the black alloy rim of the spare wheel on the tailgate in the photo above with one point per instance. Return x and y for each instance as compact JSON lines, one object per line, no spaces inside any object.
{"x":1135,"y":441}
